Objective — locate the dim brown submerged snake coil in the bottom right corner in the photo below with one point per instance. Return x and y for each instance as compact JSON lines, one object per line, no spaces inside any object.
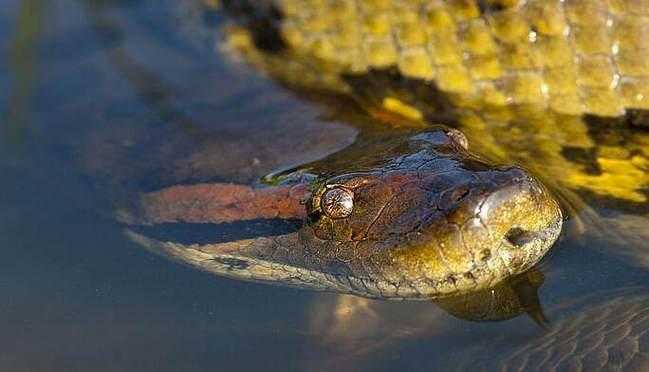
{"x":608,"y":336}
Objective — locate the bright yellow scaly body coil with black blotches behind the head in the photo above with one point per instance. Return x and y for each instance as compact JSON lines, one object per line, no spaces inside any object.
{"x":552,"y":84}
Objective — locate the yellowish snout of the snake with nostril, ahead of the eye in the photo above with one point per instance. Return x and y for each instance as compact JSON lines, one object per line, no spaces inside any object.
{"x":497,"y":223}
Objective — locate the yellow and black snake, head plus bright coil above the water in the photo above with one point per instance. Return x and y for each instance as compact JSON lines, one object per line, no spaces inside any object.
{"x":417,"y":216}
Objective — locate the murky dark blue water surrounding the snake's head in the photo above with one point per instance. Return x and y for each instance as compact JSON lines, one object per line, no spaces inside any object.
{"x":97,"y":98}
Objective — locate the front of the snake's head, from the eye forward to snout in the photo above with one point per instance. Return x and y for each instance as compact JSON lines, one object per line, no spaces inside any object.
{"x":434,"y":221}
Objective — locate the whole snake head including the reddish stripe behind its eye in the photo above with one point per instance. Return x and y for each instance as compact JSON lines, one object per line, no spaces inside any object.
{"x":428,"y":220}
